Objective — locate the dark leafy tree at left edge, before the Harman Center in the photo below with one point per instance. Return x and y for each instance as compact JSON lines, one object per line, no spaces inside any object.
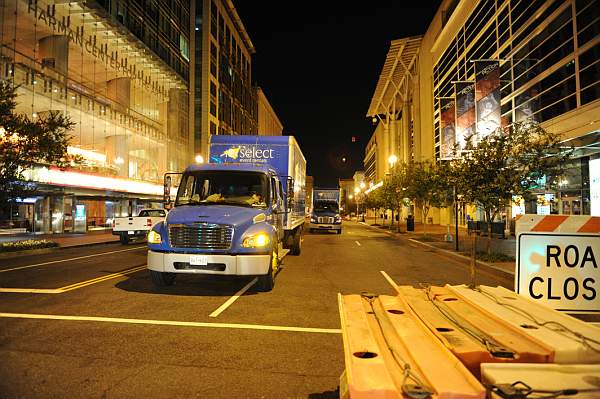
{"x":25,"y":143}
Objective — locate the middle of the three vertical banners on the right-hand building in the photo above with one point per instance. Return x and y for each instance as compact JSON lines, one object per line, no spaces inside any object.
{"x":465,"y":114}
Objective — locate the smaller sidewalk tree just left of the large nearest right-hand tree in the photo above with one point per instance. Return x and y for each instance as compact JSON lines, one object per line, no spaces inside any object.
{"x":429,"y":185}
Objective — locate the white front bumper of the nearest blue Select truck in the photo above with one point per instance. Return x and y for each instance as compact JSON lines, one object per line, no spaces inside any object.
{"x":237,"y":265}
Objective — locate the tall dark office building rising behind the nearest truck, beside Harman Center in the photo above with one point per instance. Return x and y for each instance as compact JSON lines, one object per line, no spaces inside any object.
{"x":225,"y":100}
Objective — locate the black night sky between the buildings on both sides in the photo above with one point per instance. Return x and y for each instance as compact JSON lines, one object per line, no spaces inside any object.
{"x":318,"y":64}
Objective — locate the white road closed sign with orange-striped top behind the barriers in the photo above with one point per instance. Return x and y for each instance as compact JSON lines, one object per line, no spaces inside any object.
{"x":558,"y":261}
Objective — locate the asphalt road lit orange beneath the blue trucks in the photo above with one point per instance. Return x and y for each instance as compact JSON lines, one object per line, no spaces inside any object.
{"x":87,"y":322}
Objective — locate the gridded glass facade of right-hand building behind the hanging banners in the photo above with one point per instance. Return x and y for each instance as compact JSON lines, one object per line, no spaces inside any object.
{"x":549,"y":52}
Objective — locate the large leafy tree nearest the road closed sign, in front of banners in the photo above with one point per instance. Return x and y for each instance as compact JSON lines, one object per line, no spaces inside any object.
{"x":510,"y":161}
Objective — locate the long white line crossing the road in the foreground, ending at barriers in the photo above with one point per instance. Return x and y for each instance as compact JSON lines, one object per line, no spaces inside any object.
{"x":171,"y":323}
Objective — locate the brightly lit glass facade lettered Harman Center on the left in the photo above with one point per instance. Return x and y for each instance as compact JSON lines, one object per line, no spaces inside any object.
{"x":120,"y":70}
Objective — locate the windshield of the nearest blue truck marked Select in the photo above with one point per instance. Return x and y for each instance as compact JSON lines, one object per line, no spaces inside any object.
{"x":247,"y":189}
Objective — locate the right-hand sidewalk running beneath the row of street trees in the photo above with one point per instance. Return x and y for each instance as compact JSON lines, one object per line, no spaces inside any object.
{"x":435,"y":237}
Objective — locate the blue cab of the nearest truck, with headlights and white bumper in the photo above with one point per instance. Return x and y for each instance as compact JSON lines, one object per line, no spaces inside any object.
{"x":226,"y":219}
